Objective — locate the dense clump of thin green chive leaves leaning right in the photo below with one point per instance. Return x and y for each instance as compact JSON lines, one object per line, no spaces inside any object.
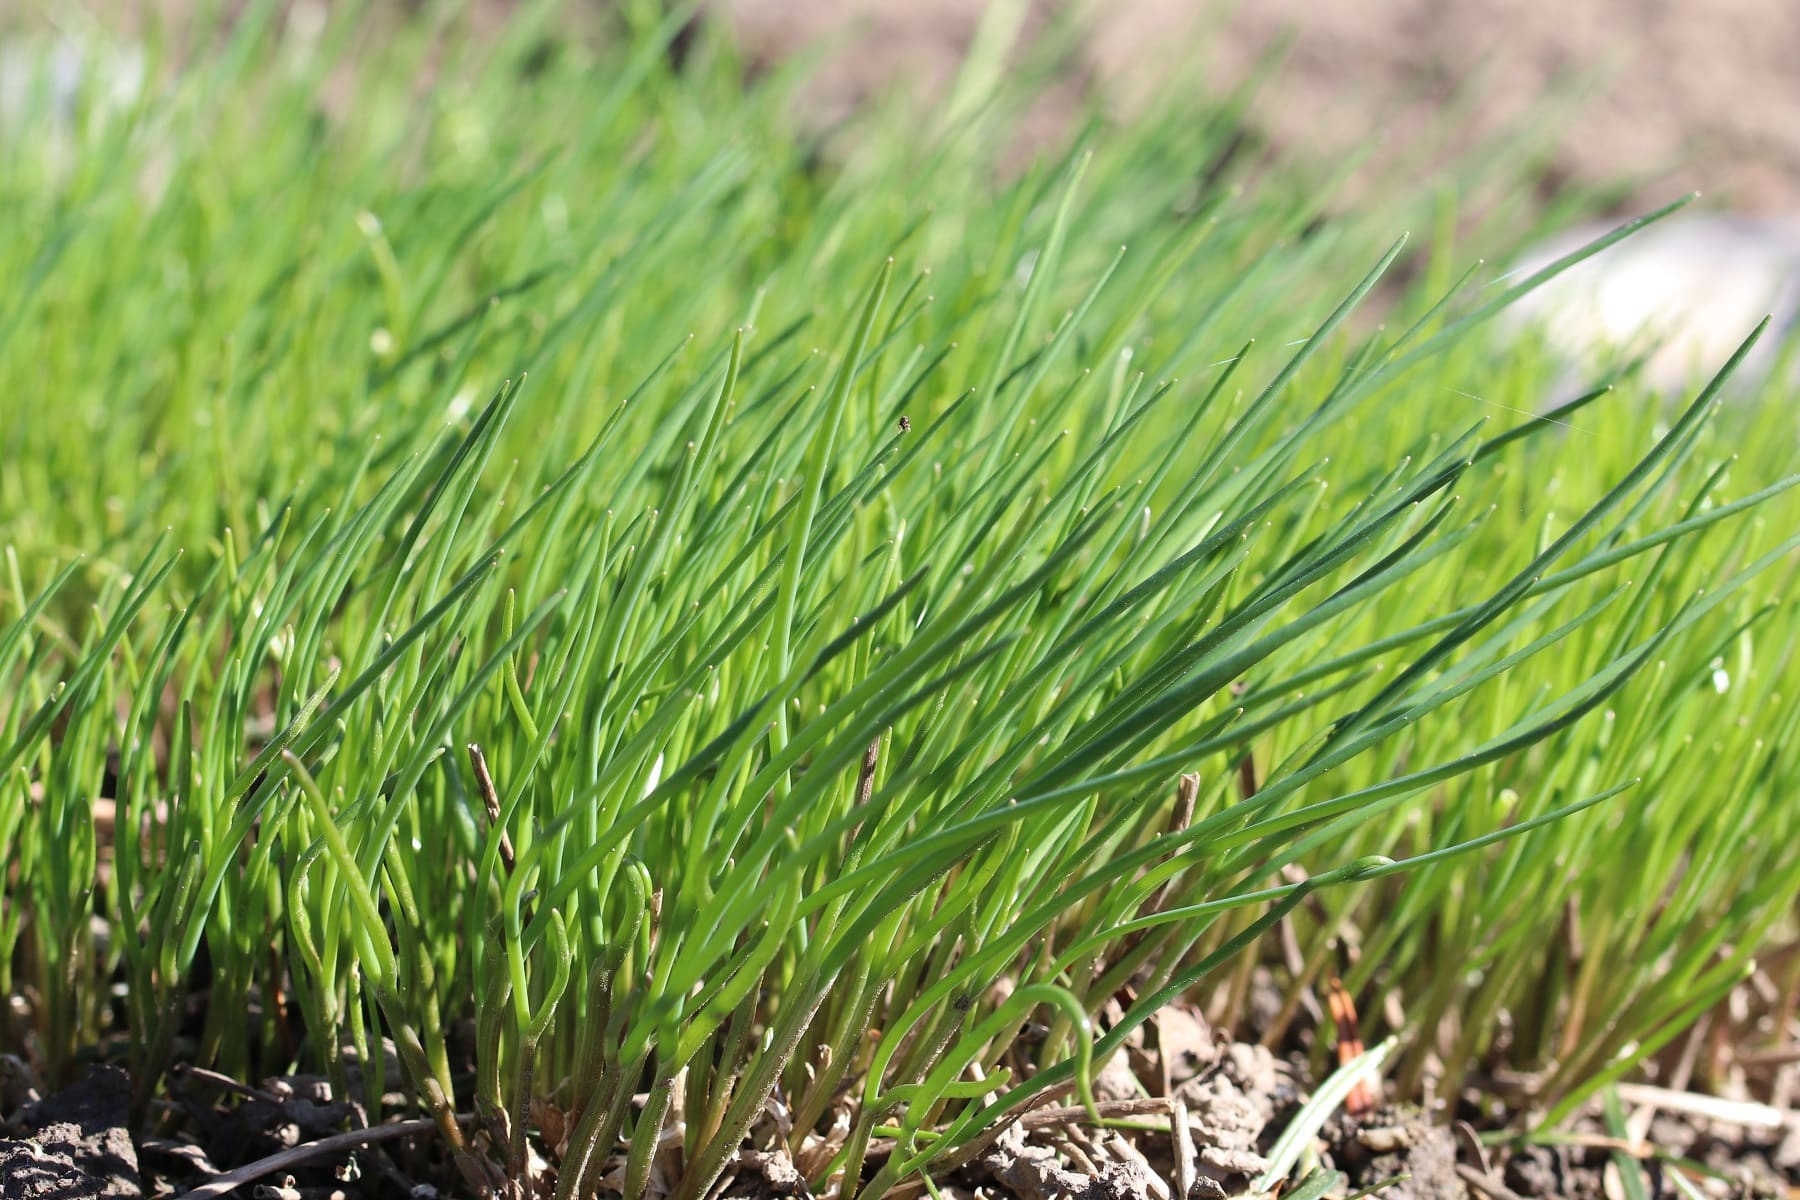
{"x":523,"y":553}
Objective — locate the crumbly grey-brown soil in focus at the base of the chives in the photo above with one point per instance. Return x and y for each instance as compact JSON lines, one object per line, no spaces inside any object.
{"x":1196,"y":1120}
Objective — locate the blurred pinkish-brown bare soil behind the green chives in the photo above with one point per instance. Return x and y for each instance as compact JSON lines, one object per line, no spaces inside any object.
{"x":1677,"y":94}
